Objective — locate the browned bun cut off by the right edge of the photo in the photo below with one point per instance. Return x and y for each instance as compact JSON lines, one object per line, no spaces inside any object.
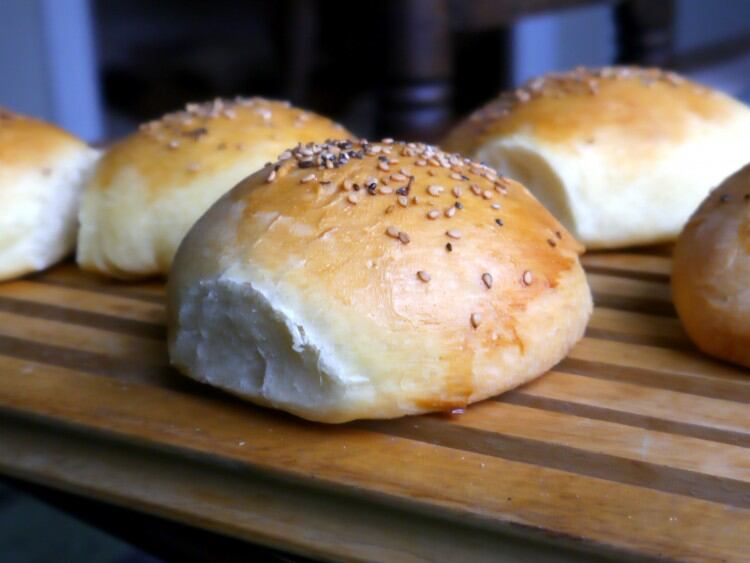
{"x":711,"y":272}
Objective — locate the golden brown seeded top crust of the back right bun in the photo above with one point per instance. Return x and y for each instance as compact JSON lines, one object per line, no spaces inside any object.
{"x":648,"y":106}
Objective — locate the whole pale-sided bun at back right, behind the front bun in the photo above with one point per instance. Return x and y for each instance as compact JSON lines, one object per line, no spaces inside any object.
{"x":622,"y":156}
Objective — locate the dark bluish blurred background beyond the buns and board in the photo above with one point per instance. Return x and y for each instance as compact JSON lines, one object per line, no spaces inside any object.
{"x":402,"y":68}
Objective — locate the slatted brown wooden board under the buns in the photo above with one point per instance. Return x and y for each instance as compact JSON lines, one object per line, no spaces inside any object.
{"x":635,"y":445}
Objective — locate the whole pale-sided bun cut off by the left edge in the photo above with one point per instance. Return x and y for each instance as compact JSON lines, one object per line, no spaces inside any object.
{"x":42,"y":172}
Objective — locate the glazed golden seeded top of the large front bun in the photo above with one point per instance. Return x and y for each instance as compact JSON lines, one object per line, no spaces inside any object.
{"x":340,"y":204}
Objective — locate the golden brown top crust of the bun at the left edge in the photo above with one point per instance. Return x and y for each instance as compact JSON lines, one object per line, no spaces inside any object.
{"x":27,"y":142}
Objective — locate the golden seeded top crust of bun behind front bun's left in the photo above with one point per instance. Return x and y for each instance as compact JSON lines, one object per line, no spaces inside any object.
{"x":204,"y":138}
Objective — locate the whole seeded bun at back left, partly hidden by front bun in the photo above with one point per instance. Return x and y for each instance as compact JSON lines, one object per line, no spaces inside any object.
{"x":152,"y":186}
